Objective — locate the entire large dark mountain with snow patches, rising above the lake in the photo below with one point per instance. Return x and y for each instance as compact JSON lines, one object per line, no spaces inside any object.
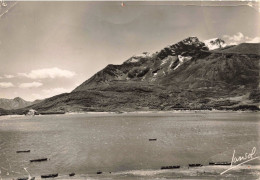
{"x":185,"y":75}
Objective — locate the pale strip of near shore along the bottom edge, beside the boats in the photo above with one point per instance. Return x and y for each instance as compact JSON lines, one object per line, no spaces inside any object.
{"x":204,"y":172}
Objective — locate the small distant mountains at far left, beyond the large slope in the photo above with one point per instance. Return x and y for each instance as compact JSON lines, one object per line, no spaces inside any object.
{"x":15,"y":103}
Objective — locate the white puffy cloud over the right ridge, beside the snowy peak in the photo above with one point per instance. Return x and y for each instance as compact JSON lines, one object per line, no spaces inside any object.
{"x":240,"y":38}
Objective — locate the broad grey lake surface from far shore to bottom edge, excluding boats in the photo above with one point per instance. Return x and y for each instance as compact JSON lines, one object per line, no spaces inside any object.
{"x":119,"y":143}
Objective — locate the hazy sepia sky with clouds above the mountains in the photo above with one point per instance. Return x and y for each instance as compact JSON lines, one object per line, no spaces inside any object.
{"x":48,"y":48}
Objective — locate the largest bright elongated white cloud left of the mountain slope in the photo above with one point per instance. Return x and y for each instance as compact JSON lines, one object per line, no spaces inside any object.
{"x":48,"y":73}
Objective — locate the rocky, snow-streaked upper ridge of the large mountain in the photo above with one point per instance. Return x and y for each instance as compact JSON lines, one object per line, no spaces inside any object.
{"x":149,"y":67}
